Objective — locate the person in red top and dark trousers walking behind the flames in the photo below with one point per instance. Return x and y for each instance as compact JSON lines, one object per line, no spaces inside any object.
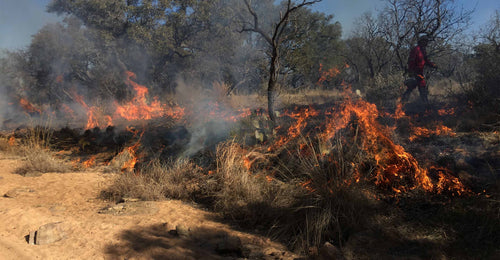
{"x":416,"y":63}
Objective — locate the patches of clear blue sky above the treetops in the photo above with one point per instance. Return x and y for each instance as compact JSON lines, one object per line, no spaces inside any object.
{"x":20,"y":19}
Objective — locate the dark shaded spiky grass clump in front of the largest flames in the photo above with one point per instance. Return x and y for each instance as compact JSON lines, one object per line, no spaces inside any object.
{"x":333,"y":203}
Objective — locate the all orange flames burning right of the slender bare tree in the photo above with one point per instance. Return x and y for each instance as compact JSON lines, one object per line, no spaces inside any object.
{"x":395,"y":168}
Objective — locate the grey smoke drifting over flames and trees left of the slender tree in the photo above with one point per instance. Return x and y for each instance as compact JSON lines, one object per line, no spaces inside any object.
{"x":77,"y":77}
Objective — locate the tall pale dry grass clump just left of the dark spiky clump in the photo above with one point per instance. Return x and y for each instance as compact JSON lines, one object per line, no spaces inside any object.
{"x":252,"y":199}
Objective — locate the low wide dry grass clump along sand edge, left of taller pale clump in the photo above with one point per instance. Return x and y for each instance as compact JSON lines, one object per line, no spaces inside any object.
{"x":179,"y":179}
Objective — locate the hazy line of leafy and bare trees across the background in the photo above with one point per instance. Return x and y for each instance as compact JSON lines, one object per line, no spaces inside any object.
{"x":206,"y":41}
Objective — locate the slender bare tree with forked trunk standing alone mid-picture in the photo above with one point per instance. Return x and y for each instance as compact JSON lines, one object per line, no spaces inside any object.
{"x":274,"y":39}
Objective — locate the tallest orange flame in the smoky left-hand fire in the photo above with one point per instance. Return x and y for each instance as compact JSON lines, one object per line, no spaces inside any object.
{"x":139,"y":109}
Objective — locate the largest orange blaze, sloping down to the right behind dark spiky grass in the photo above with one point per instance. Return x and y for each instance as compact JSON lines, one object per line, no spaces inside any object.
{"x":395,"y":168}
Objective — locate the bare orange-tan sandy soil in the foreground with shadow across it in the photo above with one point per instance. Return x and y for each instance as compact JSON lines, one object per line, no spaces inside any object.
{"x":71,"y":198}
